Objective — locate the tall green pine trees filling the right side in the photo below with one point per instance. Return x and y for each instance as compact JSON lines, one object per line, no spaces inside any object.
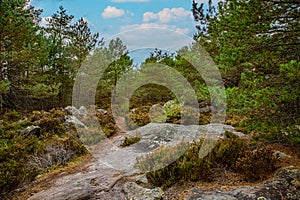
{"x":256,"y":50}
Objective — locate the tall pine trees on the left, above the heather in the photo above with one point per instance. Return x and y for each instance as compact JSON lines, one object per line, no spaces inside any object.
{"x":39,"y":66}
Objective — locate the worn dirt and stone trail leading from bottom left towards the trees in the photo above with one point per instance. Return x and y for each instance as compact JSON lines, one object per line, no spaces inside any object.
{"x":89,"y":176}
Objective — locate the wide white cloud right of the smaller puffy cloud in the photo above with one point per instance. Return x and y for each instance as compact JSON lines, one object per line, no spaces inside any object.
{"x":167,"y":15}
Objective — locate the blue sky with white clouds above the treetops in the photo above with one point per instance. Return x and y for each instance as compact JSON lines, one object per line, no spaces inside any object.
{"x":142,"y":25}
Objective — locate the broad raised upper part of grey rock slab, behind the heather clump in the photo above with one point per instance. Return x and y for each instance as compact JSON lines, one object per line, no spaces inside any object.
{"x":155,"y":135}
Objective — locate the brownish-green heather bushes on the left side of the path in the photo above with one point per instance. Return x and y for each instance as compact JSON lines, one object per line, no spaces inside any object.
{"x":25,"y":155}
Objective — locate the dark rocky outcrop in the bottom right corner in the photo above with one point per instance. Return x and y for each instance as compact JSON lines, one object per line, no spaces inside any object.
{"x":284,"y":185}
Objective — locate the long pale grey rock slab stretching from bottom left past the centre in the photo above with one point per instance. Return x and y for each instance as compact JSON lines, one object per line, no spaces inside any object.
{"x":112,"y":163}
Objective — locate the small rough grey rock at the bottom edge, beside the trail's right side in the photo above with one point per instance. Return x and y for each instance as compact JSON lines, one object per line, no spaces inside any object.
{"x":135,"y":192}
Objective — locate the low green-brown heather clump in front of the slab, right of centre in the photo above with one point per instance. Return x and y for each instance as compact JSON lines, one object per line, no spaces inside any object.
{"x":231,"y":153}
